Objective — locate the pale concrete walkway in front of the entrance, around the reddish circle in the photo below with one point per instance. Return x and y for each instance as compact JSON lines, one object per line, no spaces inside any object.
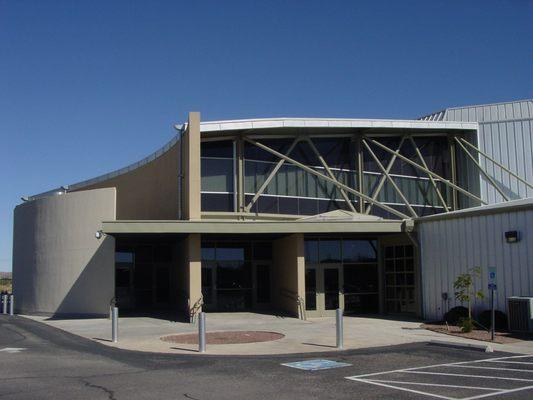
{"x":313,"y":335}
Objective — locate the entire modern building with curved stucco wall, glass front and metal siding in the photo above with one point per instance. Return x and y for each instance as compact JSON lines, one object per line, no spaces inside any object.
{"x":296,"y":215}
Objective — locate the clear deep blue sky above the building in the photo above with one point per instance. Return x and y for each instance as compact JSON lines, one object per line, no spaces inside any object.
{"x":90,"y":86}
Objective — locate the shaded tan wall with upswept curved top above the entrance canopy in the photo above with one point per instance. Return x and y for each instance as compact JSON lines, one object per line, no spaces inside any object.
{"x":147,"y":192}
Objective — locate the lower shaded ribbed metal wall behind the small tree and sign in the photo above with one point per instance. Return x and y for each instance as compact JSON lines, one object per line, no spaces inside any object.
{"x":450,"y":247}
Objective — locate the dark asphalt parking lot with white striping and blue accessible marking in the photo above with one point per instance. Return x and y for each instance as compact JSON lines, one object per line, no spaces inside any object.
{"x":42,"y":362}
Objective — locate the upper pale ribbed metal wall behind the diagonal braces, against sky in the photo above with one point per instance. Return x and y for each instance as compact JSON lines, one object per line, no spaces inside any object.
{"x":506,"y":134}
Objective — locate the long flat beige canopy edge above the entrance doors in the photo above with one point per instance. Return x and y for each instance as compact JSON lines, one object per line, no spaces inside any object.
{"x":251,"y":227}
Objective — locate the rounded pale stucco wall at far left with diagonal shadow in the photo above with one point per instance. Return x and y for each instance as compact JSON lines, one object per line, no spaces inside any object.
{"x":59,"y":267}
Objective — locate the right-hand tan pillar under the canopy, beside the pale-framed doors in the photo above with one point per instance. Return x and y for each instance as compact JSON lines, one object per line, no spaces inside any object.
{"x":288,"y":269}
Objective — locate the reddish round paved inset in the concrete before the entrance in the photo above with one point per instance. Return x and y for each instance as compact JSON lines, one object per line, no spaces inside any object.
{"x":225,"y":337}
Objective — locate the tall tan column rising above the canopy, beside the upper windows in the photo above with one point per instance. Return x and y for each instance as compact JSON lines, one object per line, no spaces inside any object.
{"x":191,"y":168}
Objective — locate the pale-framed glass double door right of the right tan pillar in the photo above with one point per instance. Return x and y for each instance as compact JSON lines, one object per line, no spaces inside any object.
{"x":323,"y":293}
